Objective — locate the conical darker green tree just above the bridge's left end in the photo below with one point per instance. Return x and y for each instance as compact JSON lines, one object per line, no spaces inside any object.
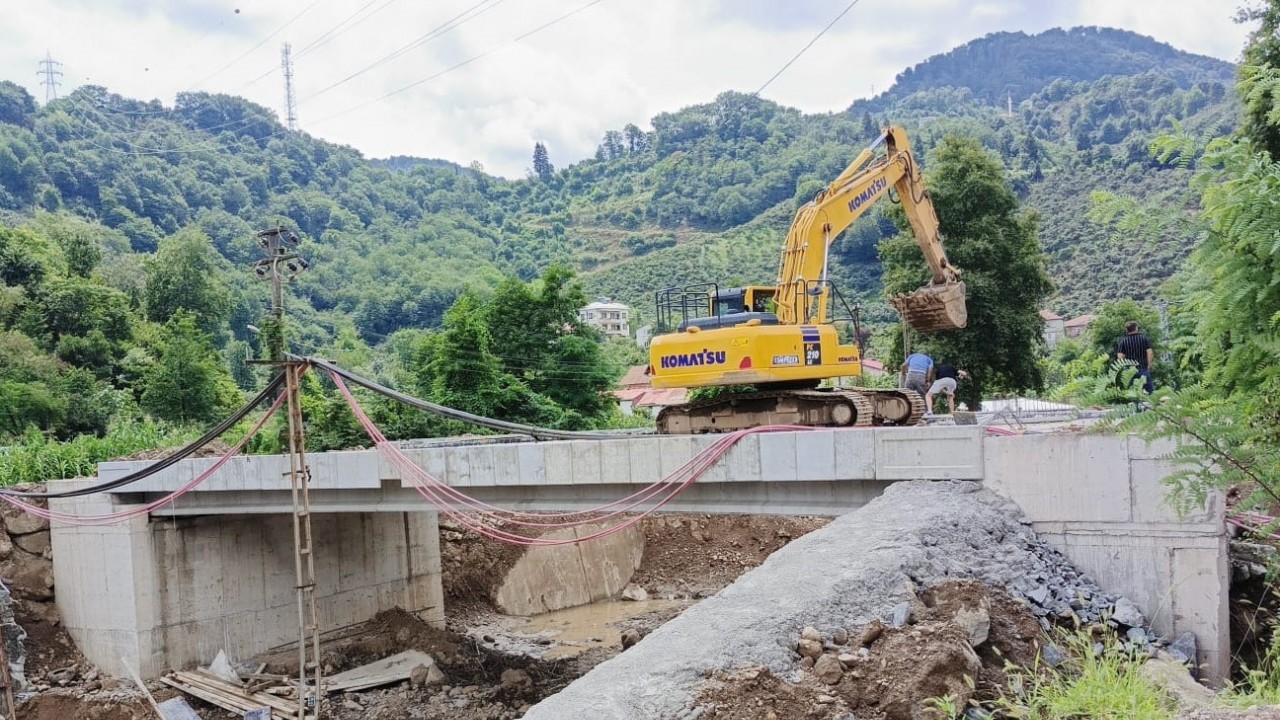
{"x":189,"y":381}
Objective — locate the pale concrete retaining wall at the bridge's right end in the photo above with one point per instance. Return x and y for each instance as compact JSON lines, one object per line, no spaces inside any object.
{"x":1101,"y":502}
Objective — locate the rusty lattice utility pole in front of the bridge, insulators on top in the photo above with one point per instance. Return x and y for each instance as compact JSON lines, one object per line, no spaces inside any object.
{"x":284,"y":265}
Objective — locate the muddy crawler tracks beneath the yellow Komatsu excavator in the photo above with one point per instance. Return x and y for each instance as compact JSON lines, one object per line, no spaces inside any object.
{"x":833,"y":408}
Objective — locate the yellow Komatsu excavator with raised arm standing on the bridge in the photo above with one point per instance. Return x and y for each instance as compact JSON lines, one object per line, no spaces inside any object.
{"x":783,"y":340}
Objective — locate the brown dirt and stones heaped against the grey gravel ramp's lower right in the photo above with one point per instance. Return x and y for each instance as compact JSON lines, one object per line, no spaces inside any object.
{"x":954,"y":644}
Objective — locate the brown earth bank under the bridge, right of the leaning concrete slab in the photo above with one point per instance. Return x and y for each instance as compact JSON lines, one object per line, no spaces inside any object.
{"x":700,"y":555}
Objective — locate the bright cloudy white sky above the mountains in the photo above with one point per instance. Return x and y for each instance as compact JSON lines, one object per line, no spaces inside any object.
{"x":385,"y":78}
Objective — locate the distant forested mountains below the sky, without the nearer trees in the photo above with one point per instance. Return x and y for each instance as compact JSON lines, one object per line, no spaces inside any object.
{"x":706,"y":195}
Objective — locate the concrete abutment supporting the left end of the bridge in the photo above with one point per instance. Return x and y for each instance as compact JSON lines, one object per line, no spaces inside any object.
{"x":171,"y":594}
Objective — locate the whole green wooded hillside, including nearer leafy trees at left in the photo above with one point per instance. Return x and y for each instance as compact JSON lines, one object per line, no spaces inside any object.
{"x":131,"y":224}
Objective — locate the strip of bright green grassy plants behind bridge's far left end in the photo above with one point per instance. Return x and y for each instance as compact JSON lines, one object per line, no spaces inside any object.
{"x":36,"y":459}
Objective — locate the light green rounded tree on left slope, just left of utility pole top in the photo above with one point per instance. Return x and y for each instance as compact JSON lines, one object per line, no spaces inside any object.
{"x":188,"y":275}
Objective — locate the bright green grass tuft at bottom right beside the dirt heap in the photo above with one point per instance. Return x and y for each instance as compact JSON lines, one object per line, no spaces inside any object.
{"x":1099,"y":680}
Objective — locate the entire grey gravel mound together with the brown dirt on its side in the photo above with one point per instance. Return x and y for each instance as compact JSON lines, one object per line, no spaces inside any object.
{"x":868,"y":572}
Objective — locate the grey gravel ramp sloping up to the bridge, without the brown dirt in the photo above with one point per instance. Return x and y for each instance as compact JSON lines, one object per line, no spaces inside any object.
{"x":861,"y":568}
